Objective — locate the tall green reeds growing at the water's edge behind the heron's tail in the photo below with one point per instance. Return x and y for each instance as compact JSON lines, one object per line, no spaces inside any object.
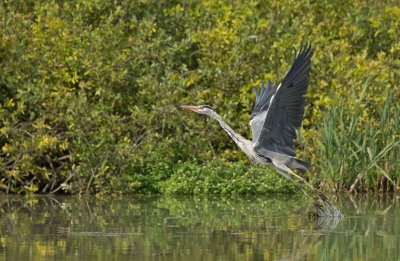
{"x":357,"y":154}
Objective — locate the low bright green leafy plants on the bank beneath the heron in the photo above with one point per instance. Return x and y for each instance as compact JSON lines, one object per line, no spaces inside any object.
{"x":224,"y":178}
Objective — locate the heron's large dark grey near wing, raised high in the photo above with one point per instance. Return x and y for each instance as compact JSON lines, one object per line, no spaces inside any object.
{"x":283,"y":111}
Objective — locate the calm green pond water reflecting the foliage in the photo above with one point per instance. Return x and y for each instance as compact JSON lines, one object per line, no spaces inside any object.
{"x":196,"y":228}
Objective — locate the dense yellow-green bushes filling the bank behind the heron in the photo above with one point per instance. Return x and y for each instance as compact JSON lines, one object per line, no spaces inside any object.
{"x":90,"y":89}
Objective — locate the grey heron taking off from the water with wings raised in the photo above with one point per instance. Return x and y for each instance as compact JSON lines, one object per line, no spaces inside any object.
{"x":276,"y":115}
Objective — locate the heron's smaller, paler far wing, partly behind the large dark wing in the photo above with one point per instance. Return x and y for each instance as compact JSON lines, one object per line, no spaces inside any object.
{"x":260,"y":107}
